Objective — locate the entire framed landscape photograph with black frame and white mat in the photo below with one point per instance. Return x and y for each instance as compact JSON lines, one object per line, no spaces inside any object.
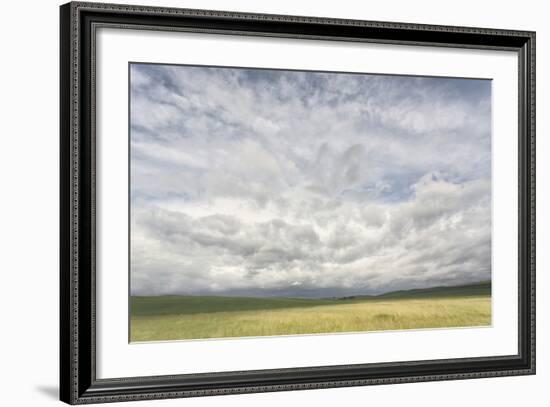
{"x":255,"y":203}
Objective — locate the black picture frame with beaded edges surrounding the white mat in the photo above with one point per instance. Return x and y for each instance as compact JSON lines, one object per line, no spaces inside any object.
{"x":78,"y":382}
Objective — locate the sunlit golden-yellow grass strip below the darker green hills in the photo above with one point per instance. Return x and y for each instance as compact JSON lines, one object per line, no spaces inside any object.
{"x":369,"y":315}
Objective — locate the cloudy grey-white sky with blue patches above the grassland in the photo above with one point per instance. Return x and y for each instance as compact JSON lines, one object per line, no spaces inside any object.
{"x":266,"y":182}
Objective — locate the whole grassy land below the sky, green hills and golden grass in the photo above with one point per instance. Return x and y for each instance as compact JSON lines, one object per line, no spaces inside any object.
{"x":158,"y":318}
